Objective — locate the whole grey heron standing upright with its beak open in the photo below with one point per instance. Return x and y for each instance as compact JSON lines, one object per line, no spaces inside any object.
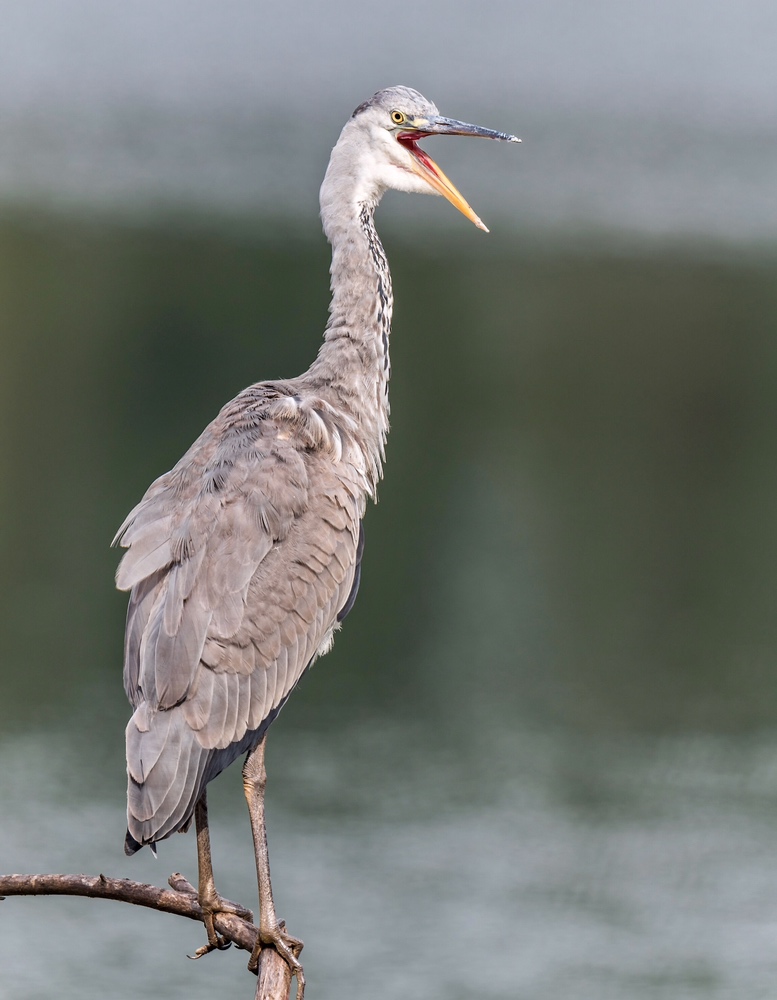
{"x":244,"y":559}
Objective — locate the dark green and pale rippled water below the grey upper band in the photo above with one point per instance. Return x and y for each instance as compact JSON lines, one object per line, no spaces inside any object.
{"x":547,"y":728}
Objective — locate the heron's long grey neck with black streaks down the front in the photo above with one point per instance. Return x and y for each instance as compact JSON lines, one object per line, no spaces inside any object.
{"x":353,"y":362}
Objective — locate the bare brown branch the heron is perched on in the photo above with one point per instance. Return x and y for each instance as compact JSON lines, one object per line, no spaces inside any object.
{"x":273,"y":974}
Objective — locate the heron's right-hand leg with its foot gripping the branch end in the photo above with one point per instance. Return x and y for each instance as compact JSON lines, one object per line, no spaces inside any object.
{"x":271,"y":930}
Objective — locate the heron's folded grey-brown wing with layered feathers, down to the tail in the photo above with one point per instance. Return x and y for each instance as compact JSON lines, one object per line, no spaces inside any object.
{"x":239,"y":562}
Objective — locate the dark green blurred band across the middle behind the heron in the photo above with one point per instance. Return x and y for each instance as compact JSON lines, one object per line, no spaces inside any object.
{"x":578,"y":523}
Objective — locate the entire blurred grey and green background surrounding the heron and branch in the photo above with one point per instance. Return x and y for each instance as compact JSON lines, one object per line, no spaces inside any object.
{"x":541,"y":761}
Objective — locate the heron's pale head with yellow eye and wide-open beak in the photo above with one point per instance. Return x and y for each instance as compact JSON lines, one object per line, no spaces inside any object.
{"x":378,"y":148}
